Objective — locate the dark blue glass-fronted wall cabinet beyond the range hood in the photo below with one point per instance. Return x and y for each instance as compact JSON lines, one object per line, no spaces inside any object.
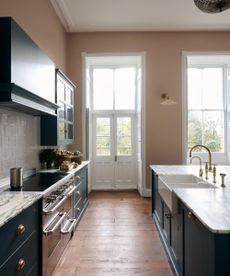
{"x":60,"y":130}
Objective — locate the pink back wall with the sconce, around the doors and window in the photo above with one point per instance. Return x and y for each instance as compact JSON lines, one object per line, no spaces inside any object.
{"x":163,"y":75}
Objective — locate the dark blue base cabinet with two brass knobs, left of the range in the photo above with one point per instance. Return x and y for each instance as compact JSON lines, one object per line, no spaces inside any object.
{"x":20,"y":241}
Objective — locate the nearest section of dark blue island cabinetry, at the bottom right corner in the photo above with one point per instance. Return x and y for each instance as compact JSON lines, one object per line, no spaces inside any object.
{"x":205,"y":253}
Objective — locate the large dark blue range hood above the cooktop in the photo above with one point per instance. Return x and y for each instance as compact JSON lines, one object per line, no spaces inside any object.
{"x":27,"y":75}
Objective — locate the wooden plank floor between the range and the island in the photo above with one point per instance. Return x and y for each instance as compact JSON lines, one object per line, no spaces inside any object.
{"x":116,"y":236}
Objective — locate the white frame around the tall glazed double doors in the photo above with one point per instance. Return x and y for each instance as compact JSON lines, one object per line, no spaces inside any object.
{"x":86,"y":128}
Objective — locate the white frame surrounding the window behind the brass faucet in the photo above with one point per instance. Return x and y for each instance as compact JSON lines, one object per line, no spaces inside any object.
{"x":218,"y":158}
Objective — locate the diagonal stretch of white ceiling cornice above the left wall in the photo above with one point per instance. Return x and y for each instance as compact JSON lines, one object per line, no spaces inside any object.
{"x":63,"y":14}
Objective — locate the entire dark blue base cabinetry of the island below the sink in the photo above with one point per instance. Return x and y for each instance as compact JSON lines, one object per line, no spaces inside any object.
{"x":192,"y":249}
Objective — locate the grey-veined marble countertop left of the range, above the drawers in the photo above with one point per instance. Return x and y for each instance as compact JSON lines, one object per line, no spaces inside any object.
{"x":13,"y":203}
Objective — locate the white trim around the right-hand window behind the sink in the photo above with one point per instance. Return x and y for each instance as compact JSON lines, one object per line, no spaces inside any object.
{"x":219,"y":158}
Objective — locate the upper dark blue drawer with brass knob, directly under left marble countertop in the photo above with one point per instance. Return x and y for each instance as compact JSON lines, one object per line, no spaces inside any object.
{"x":17,"y":230}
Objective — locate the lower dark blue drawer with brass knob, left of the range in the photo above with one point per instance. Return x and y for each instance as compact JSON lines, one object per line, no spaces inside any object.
{"x":23,"y":260}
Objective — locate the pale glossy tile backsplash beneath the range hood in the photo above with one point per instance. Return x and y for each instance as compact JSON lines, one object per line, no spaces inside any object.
{"x":19,"y":141}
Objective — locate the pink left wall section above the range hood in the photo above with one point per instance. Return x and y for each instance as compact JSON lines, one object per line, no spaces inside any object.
{"x":39,"y":20}
